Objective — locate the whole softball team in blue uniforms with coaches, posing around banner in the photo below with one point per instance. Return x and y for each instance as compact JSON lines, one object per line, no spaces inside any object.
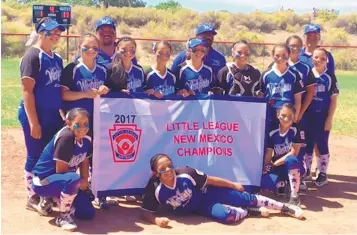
{"x":300,"y":88}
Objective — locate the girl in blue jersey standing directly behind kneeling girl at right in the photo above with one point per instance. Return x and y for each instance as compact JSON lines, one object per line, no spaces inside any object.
{"x":281,"y":84}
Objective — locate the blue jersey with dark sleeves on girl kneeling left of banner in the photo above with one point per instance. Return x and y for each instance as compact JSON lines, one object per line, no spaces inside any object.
{"x":65,"y":148}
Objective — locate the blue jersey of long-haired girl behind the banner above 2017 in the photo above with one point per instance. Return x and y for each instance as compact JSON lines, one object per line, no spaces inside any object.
{"x":135,"y":77}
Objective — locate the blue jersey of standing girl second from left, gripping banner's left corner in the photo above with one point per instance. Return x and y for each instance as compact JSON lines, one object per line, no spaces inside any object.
{"x":78,"y":77}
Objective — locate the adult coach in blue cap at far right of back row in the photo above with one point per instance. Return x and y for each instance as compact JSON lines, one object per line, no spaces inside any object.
{"x":312,"y":37}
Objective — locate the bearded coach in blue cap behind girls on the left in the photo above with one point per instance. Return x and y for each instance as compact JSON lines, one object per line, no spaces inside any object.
{"x":106,"y":33}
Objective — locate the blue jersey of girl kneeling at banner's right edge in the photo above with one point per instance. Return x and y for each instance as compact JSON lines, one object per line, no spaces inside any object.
{"x":281,"y":143}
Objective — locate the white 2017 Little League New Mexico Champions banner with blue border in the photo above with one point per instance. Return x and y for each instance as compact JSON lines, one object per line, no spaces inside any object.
{"x":221,"y":136}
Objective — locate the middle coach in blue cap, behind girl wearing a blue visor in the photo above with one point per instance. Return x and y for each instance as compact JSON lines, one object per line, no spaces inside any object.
{"x":213,"y":58}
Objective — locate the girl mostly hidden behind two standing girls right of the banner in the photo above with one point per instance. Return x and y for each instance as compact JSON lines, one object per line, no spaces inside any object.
{"x":295,"y":44}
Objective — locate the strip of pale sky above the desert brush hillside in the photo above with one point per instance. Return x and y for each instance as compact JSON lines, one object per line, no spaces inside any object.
{"x":300,"y":6}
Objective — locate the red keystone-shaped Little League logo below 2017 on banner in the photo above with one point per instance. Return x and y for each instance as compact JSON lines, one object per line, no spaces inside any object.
{"x":125,"y":142}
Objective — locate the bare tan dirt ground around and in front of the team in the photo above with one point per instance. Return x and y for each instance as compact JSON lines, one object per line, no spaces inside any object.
{"x":331,"y":209}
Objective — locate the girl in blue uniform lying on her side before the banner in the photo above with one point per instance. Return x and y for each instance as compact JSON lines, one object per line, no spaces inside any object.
{"x":185,"y":190}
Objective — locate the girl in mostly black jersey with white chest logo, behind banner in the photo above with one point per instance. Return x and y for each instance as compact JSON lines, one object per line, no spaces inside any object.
{"x":239,"y":77}
